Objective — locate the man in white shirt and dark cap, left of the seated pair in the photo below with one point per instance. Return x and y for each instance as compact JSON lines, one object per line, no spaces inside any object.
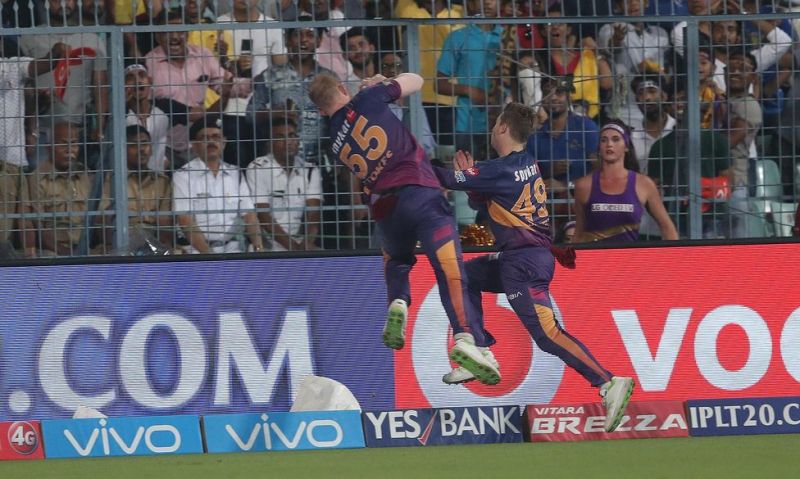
{"x":209,"y":196}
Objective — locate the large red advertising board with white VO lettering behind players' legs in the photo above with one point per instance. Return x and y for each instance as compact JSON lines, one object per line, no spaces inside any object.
{"x":685,"y":322}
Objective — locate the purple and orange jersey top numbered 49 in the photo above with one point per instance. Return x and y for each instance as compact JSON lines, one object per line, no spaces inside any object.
{"x":513,"y":193}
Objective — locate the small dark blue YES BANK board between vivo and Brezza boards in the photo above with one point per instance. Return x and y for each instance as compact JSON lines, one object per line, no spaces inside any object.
{"x":436,"y":427}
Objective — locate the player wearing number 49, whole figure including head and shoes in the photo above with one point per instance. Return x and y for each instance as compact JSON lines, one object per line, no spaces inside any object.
{"x":512,"y":191}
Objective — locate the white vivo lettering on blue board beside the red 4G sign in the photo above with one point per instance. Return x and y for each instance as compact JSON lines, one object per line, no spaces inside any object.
{"x":158,"y":439}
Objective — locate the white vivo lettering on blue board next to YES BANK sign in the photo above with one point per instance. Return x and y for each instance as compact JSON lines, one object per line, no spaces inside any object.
{"x":319,"y":433}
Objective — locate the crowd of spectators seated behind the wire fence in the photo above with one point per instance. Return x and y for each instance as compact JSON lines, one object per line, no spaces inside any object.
{"x":226,"y":153}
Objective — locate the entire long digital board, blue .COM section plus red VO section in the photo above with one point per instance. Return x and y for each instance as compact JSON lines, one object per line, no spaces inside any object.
{"x":238,"y":336}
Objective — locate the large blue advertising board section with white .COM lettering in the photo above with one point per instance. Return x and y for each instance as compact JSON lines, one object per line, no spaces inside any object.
{"x":189,"y":337}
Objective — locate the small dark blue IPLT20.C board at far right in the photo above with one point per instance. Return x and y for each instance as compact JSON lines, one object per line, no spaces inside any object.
{"x":728,"y":417}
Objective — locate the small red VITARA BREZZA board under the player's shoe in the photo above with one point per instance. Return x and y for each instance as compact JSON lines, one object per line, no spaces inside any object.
{"x":582,"y":422}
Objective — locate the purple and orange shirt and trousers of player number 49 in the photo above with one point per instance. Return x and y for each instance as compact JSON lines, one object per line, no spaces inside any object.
{"x":512,"y":191}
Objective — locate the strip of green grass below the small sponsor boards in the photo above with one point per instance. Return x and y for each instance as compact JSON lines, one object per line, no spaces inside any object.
{"x":751,"y":457}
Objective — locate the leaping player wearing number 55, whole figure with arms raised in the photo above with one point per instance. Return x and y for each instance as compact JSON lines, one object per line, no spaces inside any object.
{"x":408,"y":203}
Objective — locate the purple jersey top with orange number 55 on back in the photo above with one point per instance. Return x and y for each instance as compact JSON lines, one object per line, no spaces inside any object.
{"x":375,"y":145}
